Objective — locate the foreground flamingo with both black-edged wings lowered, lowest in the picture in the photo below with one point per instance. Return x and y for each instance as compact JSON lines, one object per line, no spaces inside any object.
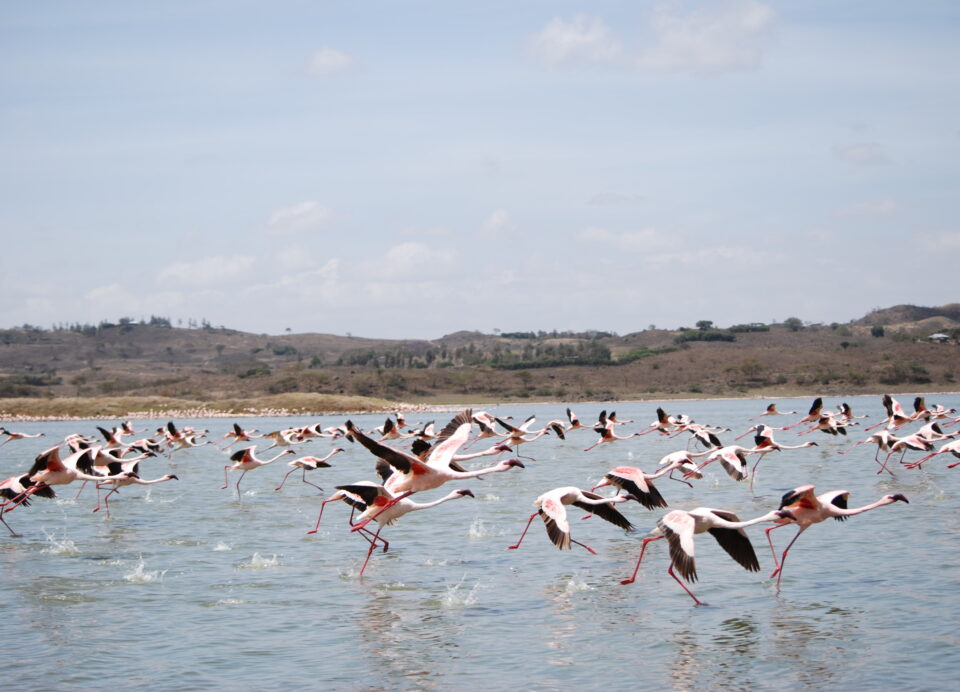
{"x":679,"y":527}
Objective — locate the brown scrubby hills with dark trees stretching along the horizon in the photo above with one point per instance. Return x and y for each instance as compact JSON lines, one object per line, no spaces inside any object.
{"x":886,"y":350}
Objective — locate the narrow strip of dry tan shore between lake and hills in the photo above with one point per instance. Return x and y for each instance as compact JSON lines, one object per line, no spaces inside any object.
{"x":290,"y":405}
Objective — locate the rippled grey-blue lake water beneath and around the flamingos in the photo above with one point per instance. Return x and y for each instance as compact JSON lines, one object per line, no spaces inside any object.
{"x":185,"y":587}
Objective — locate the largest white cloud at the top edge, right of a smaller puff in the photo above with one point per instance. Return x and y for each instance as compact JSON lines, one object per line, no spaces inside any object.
{"x":715,"y":38}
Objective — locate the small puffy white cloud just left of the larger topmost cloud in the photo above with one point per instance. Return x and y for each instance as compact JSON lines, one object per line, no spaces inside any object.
{"x":583,"y":40}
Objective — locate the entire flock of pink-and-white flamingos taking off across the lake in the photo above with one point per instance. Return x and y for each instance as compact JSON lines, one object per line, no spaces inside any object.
{"x":411,"y":460}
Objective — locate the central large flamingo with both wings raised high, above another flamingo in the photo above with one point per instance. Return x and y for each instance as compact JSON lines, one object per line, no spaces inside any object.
{"x":413,"y":474}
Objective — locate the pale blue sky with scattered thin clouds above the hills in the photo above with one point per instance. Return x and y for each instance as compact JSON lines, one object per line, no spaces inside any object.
{"x":403,"y":169}
